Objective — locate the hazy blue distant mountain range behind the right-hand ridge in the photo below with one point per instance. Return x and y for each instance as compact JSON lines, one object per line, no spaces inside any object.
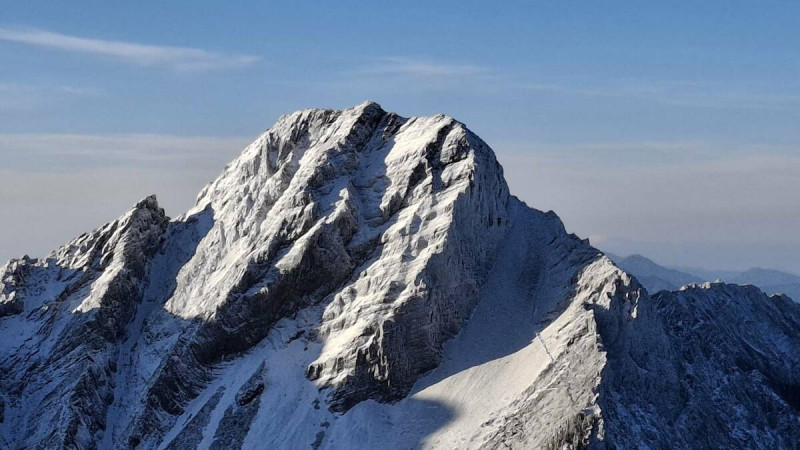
{"x":656,"y":277}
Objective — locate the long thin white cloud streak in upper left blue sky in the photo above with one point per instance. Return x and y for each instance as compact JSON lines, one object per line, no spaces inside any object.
{"x":180,"y":58}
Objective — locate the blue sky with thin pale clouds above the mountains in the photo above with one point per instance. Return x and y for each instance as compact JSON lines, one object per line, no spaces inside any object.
{"x":665,"y":128}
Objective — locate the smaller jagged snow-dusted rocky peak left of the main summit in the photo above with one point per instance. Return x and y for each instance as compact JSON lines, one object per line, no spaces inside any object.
{"x":62,"y":340}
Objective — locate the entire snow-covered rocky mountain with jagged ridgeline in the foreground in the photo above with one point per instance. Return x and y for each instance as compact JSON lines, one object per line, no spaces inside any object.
{"x":357,"y":279}
